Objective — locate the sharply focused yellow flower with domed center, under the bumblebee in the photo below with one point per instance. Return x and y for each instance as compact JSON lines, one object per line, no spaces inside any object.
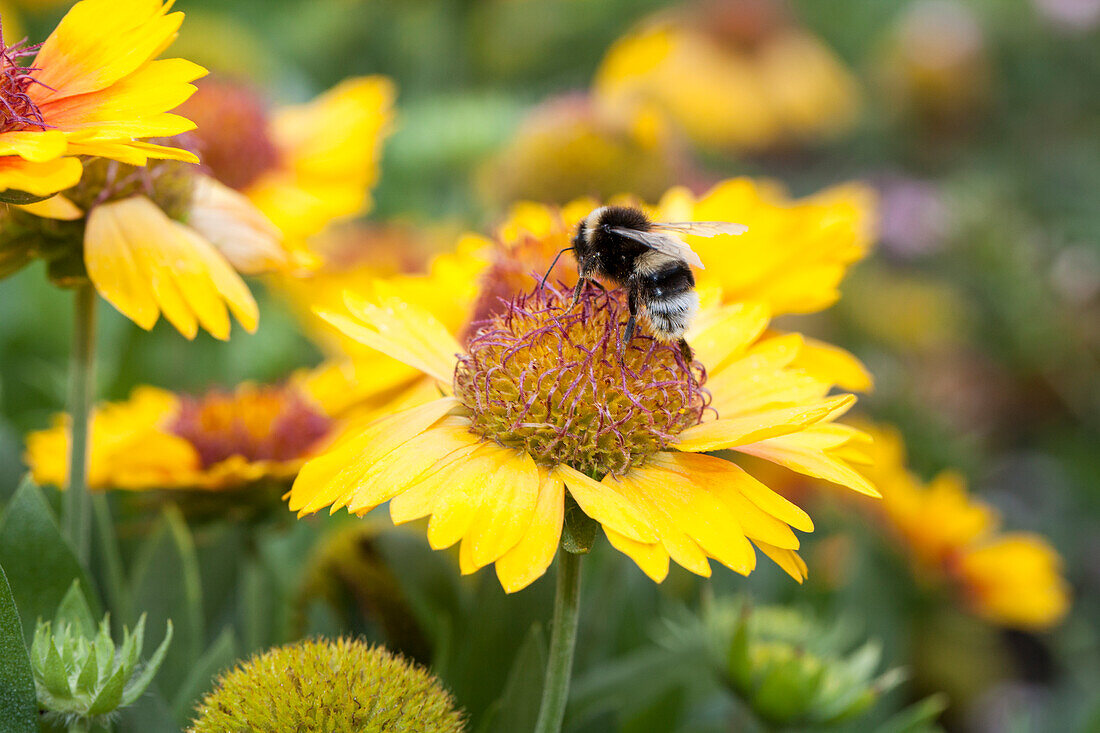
{"x":540,"y":414}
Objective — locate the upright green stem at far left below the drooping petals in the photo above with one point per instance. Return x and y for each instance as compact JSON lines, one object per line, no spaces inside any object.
{"x":78,"y":517}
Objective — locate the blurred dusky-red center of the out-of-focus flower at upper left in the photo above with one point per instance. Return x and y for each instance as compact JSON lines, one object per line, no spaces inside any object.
{"x":233,"y":133}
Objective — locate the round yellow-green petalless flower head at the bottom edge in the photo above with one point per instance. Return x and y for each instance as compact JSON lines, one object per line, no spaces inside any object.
{"x":327,"y":686}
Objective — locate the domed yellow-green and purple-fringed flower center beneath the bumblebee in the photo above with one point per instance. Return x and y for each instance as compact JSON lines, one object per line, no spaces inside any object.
{"x":551,"y":382}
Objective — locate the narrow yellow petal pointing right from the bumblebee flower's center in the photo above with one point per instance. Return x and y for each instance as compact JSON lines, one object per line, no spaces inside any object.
{"x":723,"y":434}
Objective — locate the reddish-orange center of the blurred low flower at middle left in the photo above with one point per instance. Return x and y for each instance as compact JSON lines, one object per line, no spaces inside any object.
{"x":271,"y":423}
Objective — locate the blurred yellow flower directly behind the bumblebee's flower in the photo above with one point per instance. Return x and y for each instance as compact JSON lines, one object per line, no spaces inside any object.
{"x":791,"y":260}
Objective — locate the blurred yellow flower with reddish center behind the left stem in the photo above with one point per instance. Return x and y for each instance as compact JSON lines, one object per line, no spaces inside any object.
{"x":222,"y":441}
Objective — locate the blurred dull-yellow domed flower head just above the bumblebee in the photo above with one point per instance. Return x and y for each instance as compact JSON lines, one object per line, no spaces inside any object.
{"x":569,"y":148}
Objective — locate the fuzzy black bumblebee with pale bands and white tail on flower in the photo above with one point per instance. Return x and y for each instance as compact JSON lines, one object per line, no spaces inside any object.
{"x":621,"y":246}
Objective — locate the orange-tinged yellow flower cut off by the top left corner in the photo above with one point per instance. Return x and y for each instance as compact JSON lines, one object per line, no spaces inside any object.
{"x":94,"y":90}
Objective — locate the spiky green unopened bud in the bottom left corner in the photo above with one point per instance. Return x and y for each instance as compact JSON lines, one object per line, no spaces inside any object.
{"x":81,"y":677}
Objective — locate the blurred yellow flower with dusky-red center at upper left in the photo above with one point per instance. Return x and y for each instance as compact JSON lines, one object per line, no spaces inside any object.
{"x":303,"y":167}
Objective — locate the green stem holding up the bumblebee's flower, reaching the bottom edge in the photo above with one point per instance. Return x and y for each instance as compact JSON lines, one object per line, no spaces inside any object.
{"x":563,"y":641}
